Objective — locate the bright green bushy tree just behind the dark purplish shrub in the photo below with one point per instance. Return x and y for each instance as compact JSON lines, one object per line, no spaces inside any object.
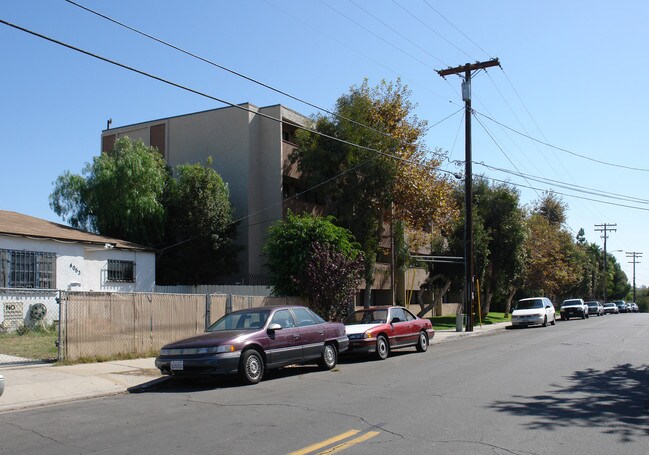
{"x":289,"y":249}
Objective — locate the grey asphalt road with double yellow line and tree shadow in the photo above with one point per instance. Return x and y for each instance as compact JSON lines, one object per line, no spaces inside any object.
{"x":581,"y":386}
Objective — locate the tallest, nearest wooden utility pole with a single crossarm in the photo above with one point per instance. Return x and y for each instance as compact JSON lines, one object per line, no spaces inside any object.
{"x":468,"y":181}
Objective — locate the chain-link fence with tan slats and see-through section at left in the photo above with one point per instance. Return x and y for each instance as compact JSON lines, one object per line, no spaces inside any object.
{"x":39,"y":325}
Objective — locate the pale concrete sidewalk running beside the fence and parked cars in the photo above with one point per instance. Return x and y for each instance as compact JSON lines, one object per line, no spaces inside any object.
{"x":44,"y":384}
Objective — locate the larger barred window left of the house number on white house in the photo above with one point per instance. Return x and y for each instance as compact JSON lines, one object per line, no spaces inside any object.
{"x":27,"y":269}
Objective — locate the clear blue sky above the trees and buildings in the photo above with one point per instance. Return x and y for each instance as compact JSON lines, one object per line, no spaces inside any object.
{"x":567,"y":107}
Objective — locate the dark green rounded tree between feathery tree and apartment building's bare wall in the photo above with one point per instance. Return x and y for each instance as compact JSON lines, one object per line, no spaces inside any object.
{"x":200,"y":229}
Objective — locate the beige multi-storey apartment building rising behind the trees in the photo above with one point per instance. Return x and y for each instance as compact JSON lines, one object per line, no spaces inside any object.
{"x":250,"y":147}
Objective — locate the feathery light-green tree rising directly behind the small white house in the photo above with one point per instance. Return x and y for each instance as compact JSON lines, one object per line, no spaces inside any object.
{"x":120,"y":195}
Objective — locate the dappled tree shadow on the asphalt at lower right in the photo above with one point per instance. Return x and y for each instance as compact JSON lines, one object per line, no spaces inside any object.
{"x":616,"y":401}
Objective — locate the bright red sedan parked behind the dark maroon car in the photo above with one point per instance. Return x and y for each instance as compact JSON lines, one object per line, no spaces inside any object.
{"x":379,"y":330}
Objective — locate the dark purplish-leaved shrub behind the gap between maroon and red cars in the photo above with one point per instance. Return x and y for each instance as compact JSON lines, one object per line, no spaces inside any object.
{"x":331,"y":280}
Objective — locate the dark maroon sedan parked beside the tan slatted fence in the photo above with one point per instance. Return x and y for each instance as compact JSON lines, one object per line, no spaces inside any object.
{"x":250,"y":342}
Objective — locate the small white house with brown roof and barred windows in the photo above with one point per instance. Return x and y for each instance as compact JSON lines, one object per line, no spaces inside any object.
{"x":38,"y":258}
